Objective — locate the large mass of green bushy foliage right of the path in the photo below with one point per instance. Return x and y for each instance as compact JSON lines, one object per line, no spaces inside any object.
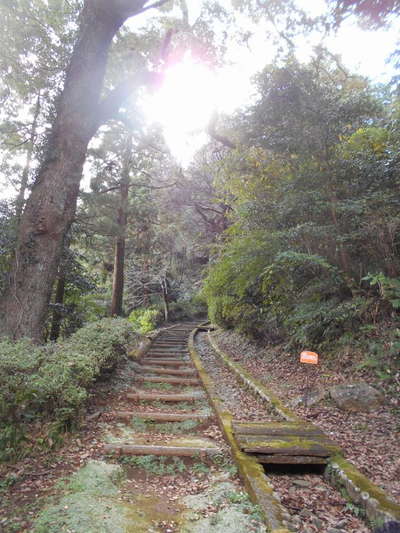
{"x":313,"y":255}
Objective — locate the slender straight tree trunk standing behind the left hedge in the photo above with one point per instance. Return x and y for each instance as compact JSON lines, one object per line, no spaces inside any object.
{"x":122,"y":220}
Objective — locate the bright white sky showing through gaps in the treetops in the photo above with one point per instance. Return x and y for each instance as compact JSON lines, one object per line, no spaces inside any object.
{"x":191,"y":92}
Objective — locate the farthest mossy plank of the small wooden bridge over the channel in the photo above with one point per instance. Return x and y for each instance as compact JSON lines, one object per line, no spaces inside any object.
{"x":276,"y":428}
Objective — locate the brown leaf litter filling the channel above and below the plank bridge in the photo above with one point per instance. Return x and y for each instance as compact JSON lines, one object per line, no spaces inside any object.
{"x":312,"y":504}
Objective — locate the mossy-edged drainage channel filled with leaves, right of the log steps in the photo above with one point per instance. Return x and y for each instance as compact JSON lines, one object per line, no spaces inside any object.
{"x":336,"y":477}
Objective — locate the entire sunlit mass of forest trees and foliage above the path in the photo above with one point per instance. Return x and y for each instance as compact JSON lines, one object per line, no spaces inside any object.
{"x":284,"y":222}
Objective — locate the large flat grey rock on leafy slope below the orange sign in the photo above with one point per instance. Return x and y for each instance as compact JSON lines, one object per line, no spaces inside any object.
{"x":356,"y":397}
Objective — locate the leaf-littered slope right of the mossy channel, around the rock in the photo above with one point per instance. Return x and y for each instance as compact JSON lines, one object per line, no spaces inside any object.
{"x":370,"y":440}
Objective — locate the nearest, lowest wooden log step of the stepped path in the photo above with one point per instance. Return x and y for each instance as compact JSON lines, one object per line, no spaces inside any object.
{"x":147,"y":449}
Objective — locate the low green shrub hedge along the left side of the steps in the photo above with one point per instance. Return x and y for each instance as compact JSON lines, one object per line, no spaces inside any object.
{"x":51,"y":382}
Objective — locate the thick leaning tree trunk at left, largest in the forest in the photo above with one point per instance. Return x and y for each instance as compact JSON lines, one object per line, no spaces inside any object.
{"x":51,"y":206}
